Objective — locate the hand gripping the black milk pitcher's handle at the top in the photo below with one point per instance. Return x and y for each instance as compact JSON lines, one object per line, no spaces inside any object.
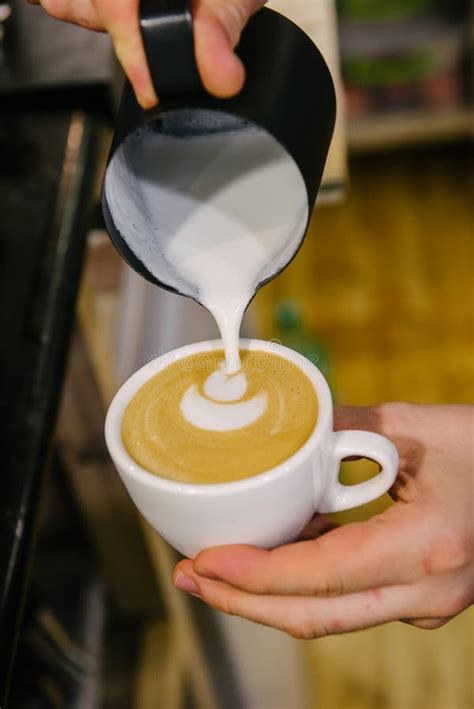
{"x":217,"y":28}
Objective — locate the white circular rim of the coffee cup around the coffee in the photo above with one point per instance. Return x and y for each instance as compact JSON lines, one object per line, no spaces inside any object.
{"x":125,"y":463}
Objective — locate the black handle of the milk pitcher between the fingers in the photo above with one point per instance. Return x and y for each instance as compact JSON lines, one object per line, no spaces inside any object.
{"x":166,"y":27}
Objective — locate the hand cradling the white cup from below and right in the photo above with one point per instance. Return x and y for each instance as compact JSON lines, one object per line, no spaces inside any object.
{"x":413,"y":562}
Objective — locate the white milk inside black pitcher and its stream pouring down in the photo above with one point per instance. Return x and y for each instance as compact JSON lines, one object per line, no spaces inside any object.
{"x":211,"y":215}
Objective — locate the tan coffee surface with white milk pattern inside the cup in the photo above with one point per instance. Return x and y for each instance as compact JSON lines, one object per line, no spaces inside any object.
{"x":193,"y":423}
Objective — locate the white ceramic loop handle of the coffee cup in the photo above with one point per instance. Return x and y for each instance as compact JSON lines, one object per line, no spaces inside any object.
{"x":364,"y":444}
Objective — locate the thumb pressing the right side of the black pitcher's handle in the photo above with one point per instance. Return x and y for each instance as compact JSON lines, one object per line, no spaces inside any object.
{"x":217,"y":28}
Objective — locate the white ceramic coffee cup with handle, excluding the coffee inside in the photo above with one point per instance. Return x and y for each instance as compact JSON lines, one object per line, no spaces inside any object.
{"x":265,"y":510}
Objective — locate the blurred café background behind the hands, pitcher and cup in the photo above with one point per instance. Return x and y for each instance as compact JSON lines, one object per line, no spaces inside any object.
{"x":382,"y":293}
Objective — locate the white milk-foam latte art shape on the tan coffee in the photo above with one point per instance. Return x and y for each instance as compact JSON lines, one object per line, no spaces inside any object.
{"x":220,"y":408}
